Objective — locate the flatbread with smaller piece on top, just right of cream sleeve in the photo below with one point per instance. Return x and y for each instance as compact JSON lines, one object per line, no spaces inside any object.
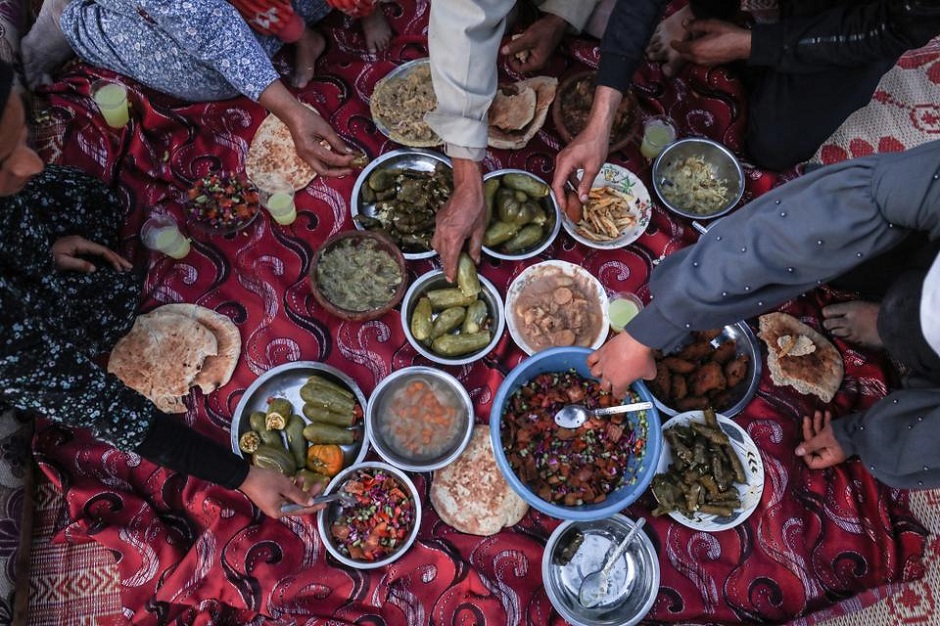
{"x":512,"y":131}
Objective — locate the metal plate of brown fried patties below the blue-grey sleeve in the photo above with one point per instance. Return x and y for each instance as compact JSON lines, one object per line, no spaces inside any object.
{"x":718,"y":368}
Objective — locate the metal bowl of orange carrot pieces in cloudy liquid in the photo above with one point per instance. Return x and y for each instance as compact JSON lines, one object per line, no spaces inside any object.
{"x":419,"y":419}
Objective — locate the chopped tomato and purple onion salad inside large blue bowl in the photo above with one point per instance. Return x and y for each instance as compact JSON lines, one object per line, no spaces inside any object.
{"x":568,"y":466}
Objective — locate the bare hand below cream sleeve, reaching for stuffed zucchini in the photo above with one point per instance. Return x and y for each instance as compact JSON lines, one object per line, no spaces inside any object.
{"x":462,"y":218}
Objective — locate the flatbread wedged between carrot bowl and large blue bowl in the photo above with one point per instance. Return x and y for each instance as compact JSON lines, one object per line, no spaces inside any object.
{"x":471,"y":494}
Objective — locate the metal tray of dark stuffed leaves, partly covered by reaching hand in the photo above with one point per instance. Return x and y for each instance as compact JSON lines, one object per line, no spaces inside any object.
{"x":400,"y":193}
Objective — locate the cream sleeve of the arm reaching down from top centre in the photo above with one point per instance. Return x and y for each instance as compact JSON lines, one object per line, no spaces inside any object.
{"x":463,"y":41}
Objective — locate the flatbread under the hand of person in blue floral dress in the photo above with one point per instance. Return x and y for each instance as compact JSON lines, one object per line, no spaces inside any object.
{"x":272,"y":155}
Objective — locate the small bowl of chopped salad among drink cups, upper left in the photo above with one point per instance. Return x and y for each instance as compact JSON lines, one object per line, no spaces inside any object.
{"x":222,"y":203}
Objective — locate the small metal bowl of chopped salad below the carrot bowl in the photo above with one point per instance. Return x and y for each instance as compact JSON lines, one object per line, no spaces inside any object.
{"x":379,"y":520}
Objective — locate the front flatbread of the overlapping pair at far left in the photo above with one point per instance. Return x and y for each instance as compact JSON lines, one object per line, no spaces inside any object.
{"x":161,"y":356}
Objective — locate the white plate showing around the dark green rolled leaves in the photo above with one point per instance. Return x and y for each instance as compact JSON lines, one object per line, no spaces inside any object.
{"x":750,"y":492}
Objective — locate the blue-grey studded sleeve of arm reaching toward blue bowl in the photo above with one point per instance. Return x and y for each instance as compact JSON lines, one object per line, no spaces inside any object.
{"x":790,"y":240}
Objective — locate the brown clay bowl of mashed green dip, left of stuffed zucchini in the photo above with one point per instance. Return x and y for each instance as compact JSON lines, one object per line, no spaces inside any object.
{"x":358,"y":275}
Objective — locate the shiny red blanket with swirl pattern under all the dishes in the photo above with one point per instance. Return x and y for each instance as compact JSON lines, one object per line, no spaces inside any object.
{"x":193,"y":553}
